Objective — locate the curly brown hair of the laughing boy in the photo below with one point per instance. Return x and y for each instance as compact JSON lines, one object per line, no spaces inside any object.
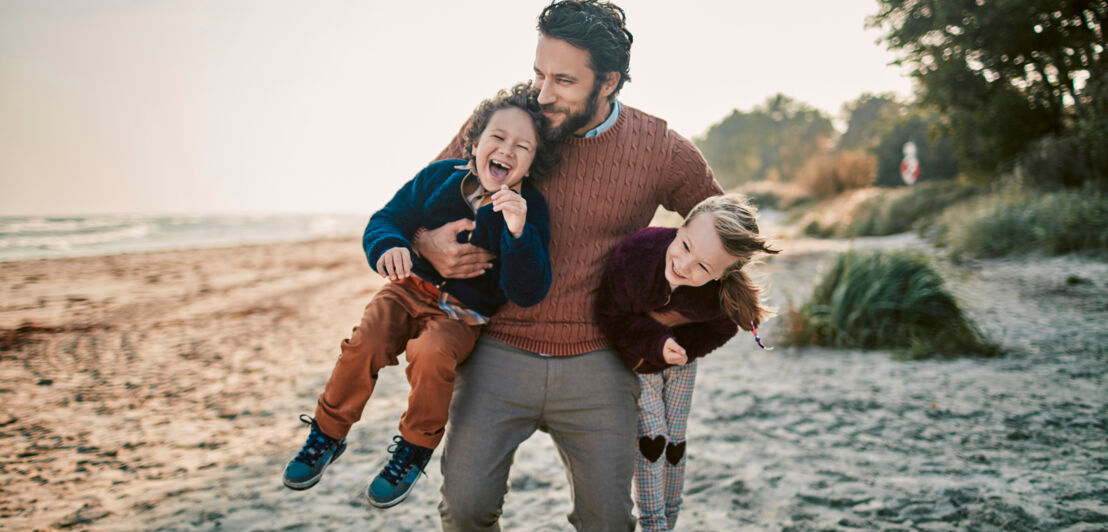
{"x":522,"y":97}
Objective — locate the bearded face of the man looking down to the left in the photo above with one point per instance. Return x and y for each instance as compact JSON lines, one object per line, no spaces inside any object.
{"x":568,"y":89}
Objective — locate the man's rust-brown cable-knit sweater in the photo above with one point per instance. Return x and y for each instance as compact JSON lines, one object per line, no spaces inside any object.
{"x":606,"y":189}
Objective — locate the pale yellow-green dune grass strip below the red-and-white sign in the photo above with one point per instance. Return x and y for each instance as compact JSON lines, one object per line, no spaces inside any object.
{"x":905,"y":209}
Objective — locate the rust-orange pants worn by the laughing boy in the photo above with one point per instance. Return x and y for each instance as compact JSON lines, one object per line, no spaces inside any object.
{"x":401,"y":319}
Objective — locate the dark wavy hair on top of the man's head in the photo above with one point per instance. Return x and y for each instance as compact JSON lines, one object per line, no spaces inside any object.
{"x":599,"y":28}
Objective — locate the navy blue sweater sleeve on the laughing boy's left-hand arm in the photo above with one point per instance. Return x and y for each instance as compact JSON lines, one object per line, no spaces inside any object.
{"x":395,"y":224}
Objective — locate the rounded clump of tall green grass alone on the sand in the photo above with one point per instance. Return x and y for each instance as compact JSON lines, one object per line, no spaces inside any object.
{"x":892,"y":301}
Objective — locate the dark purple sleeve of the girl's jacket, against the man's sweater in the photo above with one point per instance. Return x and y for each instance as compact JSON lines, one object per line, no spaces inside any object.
{"x":637,"y":336}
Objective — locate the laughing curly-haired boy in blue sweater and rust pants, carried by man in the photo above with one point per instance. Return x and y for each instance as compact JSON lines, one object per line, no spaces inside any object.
{"x":437,"y":321}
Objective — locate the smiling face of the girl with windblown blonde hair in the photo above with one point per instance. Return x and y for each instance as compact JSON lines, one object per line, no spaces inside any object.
{"x":696,"y":255}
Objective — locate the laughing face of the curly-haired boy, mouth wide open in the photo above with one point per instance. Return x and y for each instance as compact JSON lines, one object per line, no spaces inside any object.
{"x":506,"y":149}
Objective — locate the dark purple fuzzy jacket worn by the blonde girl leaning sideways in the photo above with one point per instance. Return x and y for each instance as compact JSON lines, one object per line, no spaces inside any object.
{"x":634,"y":284}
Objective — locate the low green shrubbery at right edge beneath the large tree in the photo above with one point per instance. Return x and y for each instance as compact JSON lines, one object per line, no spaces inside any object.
{"x":1018,"y":221}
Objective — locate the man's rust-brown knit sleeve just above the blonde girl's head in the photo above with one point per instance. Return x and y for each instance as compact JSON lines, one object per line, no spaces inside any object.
{"x":690,"y":179}
